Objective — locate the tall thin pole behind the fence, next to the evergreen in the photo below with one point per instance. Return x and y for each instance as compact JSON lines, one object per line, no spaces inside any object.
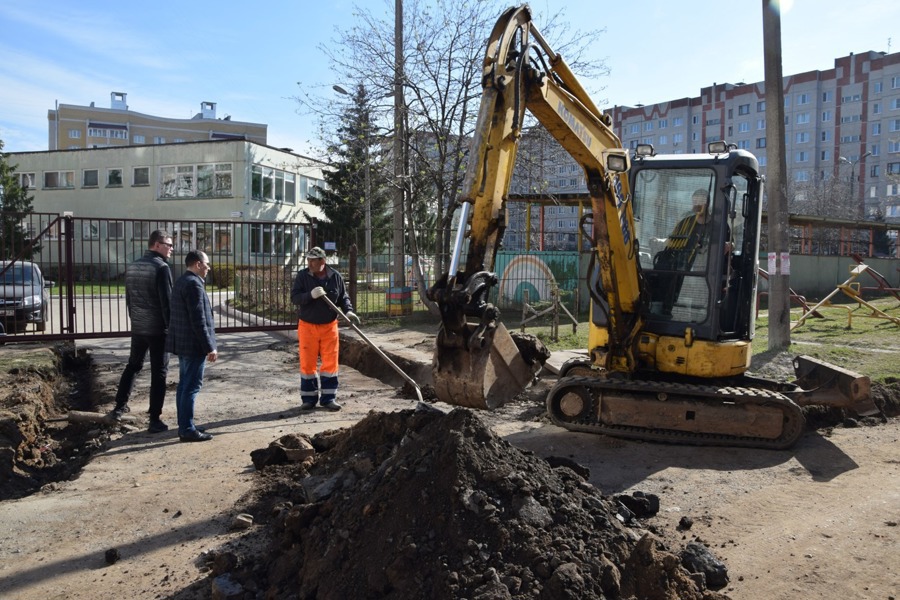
{"x":399,"y":153}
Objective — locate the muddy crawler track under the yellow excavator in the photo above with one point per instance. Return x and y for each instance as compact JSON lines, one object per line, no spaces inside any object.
{"x":680,"y":413}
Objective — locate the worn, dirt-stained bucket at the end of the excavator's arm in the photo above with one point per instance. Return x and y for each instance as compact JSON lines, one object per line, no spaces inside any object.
{"x":484,"y":372}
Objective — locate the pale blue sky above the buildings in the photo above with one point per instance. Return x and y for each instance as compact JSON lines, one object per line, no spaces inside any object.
{"x":248,"y":58}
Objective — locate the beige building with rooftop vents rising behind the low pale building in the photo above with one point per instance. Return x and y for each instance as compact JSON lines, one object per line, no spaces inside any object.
{"x":73,"y":127}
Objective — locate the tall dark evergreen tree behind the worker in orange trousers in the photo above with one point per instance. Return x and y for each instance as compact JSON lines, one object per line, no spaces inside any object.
{"x":357,"y":167}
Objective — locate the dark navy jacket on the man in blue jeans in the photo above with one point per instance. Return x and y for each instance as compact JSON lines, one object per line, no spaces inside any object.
{"x":191,"y":329}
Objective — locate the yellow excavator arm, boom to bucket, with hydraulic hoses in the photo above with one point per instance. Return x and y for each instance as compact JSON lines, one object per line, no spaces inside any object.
{"x":476,"y":361}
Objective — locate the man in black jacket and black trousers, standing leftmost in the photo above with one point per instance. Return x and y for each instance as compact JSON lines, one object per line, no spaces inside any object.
{"x":148,"y":289}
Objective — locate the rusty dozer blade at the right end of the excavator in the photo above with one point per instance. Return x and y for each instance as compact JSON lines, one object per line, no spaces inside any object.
{"x":826,"y":384}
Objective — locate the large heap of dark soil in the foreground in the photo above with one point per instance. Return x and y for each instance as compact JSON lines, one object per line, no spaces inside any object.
{"x":421,"y":504}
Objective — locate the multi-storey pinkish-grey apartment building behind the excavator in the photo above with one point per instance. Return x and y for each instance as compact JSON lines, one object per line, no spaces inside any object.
{"x":842,"y":140}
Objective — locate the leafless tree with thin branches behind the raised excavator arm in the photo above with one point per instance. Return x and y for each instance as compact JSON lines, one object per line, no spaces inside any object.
{"x":444,"y":43}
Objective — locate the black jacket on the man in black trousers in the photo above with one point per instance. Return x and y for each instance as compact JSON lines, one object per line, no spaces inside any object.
{"x":148,"y":288}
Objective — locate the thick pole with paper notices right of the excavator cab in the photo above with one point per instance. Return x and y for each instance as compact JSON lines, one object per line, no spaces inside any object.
{"x":776,"y":182}
